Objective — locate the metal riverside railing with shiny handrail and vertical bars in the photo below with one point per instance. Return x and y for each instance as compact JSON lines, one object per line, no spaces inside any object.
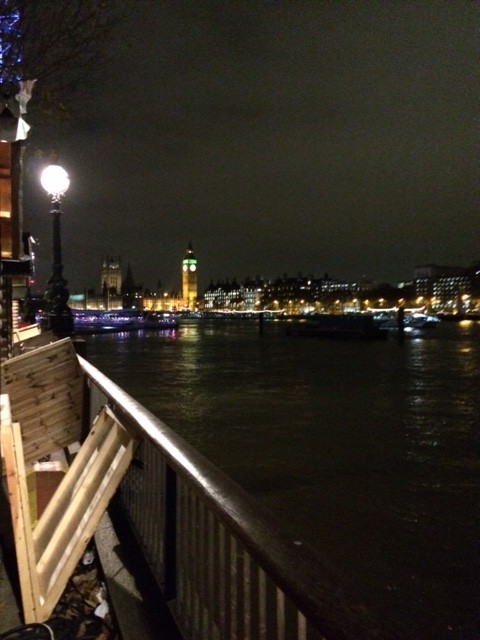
{"x":223,"y":564}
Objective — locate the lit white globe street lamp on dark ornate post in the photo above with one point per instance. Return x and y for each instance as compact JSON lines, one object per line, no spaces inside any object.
{"x":55,"y":181}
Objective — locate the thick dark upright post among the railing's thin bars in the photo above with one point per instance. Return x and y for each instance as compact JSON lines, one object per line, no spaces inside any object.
{"x":170,"y":533}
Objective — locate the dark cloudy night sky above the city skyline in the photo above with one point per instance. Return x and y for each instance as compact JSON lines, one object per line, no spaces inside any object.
{"x":277,"y":136}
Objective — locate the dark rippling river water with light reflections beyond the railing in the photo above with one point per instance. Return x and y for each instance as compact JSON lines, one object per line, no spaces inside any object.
{"x":366,"y":449}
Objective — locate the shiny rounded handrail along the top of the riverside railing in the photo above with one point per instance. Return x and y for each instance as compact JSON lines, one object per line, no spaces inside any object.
{"x":294,"y":566}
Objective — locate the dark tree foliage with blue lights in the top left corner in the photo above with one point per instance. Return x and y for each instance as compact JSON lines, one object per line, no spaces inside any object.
{"x":58,"y":43}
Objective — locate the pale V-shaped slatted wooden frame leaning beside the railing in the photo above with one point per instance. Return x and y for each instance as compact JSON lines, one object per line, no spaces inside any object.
{"x":48,"y":556}
